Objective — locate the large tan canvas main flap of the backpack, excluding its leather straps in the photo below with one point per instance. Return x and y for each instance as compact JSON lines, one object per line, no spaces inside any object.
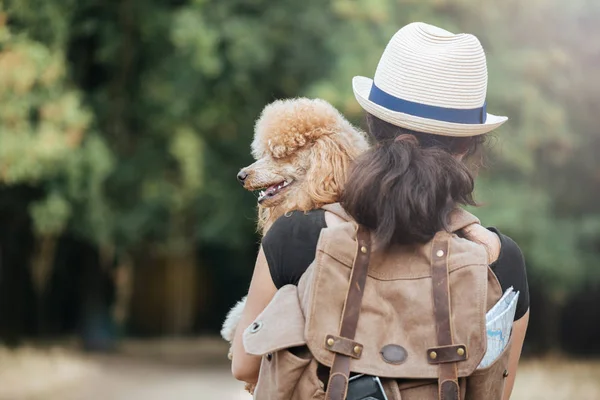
{"x":397,"y":327}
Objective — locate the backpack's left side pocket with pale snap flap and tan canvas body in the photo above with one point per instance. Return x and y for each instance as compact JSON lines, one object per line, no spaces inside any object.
{"x":288,"y":370}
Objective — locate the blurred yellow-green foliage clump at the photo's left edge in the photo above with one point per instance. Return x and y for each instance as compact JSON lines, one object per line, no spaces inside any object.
{"x":47,"y":139}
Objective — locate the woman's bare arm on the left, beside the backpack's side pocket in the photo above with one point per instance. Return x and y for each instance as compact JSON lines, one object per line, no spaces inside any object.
{"x":245,"y":367}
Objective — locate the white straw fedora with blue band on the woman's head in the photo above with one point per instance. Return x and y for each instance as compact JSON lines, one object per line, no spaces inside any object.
{"x":430,"y":80}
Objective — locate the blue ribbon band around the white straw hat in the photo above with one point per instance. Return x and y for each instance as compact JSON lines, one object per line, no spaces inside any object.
{"x":456,"y":115}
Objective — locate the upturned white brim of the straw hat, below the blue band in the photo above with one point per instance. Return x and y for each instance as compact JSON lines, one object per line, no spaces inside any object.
{"x":362,"y":88}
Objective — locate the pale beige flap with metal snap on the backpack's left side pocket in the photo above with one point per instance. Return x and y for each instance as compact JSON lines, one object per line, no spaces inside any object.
{"x":279,"y":326}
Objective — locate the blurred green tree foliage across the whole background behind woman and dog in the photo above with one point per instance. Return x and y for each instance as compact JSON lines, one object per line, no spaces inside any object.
{"x":133,"y":117}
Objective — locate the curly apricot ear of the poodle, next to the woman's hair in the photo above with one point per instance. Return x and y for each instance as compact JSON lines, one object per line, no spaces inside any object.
{"x":329,"y":159}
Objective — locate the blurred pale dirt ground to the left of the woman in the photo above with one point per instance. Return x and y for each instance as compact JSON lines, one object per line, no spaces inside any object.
{"x":166,"y":369}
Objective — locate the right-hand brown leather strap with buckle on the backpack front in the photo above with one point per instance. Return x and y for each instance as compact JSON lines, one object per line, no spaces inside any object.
{"x":447,"y":354}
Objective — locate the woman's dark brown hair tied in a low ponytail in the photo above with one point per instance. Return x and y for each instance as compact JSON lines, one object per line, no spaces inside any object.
{"x":406,"y":185}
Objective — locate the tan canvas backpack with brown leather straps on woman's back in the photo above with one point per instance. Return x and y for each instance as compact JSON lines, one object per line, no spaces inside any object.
{"x":413,"y":316}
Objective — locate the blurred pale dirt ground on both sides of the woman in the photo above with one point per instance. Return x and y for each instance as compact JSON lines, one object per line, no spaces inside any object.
{"x":199,"y":370}
